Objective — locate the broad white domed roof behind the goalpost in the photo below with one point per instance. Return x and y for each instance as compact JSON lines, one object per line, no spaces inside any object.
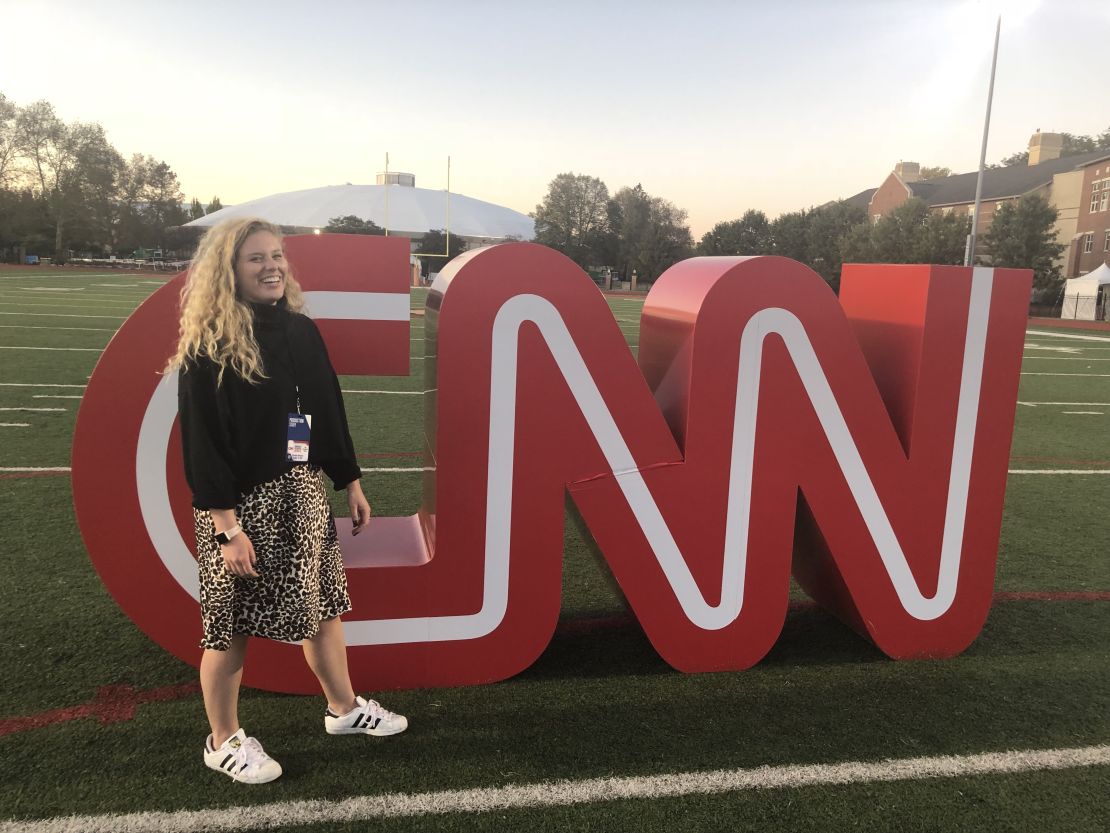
{"x":412,"y":212}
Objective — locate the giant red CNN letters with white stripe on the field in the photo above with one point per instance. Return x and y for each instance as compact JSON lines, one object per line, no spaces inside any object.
{"x":764,"y":425}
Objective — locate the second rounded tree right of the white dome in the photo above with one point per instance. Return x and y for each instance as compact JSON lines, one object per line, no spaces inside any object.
{"x":649,"y":234}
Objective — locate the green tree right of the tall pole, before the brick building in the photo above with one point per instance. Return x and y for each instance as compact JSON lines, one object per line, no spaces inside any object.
{"x":1023,"y":235}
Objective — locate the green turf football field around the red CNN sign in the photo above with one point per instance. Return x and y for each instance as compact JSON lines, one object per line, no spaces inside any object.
{"x":600,"y":704}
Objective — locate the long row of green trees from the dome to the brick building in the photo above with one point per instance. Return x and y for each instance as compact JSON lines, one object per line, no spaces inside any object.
{"x":635,"y":232}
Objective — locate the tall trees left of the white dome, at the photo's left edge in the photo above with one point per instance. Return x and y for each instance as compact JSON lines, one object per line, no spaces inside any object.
{"x":65,"y":189}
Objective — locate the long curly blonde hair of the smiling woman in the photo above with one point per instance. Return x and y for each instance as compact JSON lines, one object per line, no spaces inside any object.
{"x":216,"y":323}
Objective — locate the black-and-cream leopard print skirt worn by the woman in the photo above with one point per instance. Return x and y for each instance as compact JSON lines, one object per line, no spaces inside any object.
{"x":301,"y":580}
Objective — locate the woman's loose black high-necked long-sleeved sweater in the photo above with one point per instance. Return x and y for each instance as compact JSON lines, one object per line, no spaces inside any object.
{"x":235,"y":434}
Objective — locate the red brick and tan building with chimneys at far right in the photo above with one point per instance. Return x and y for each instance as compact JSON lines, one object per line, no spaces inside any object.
{"x":1063,"y":183}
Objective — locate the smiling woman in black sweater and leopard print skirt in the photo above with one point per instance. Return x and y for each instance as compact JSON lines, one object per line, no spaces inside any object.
{"x":261,"y":417}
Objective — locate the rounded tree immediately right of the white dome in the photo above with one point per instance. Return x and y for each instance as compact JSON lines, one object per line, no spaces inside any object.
{"x":573,"y":217}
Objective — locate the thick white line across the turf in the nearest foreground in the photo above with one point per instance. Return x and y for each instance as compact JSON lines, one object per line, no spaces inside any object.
{"x":570,"y":794}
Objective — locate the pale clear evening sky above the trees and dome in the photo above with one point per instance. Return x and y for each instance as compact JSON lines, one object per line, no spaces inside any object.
{"x":719,"y":107}
